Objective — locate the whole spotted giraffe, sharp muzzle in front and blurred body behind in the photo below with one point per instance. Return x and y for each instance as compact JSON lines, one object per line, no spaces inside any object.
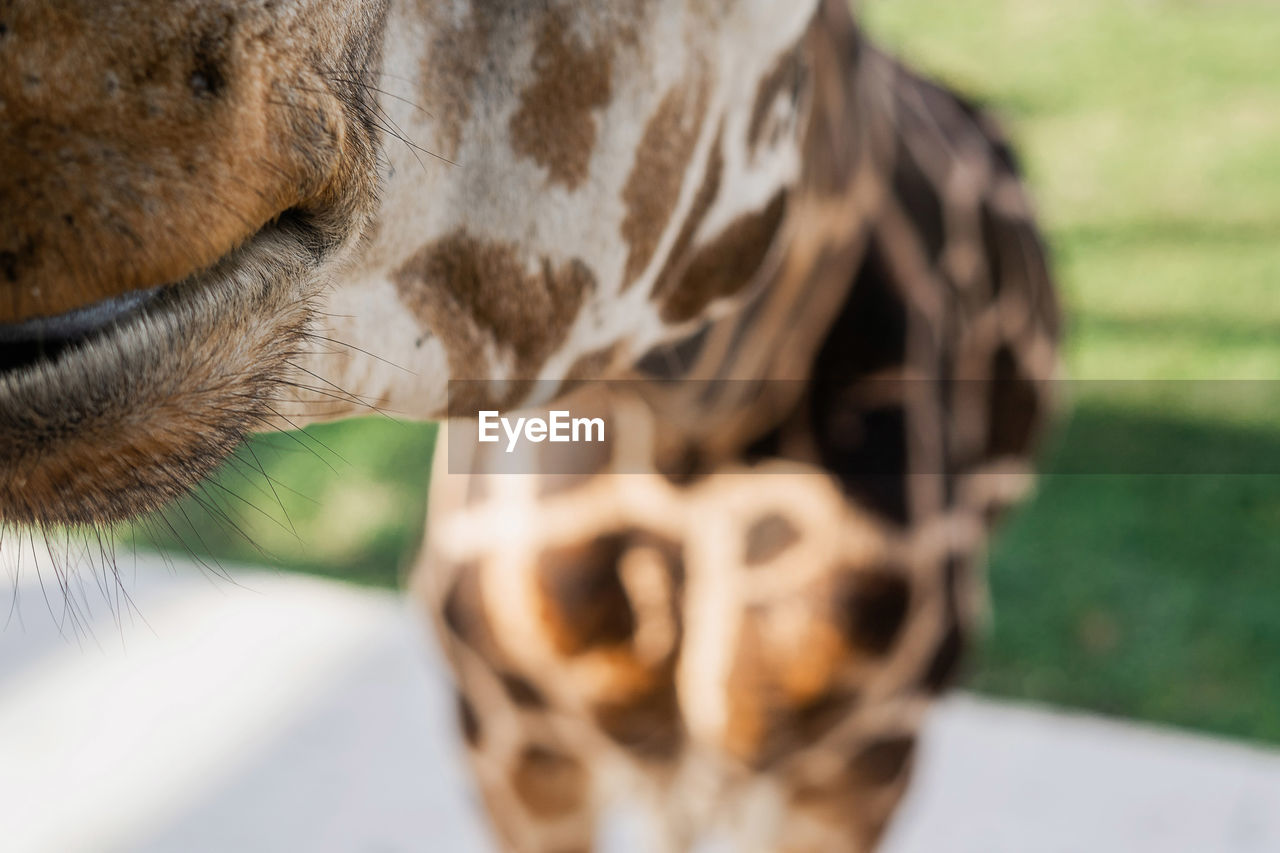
{"x":802,"y":284}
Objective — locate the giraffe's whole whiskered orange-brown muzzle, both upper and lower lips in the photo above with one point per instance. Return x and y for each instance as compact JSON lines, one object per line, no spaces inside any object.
{"x":176,"y":180}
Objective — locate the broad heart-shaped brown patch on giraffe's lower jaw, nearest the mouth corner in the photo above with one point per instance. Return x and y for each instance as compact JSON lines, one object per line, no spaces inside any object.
{"x":476,"y":294}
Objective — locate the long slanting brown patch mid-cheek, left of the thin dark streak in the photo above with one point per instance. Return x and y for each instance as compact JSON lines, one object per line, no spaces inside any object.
{"x":659,"y":174}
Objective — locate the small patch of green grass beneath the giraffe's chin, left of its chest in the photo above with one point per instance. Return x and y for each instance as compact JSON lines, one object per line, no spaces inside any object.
{"x":344,"y":500}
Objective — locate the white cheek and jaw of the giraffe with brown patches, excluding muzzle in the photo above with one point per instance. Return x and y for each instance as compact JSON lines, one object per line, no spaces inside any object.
{"x":583,"y":183}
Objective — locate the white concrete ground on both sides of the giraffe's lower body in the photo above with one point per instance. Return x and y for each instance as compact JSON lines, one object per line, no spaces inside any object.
{"x":285,"y":714}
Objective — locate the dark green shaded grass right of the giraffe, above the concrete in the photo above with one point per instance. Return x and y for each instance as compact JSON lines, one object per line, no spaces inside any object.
{"x":1153,"y":596}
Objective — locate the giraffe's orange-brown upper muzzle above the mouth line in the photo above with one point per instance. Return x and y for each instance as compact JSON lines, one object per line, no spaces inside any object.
{"x":143,"y":143}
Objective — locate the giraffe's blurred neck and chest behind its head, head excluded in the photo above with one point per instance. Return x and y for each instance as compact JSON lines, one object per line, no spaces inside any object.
{"x":740,"y":609}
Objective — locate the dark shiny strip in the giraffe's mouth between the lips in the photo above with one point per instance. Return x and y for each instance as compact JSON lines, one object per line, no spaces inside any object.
{"x":30,"y":343}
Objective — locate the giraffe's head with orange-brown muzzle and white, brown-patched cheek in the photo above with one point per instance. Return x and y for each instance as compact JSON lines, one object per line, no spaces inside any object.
{"x":230,"y":216}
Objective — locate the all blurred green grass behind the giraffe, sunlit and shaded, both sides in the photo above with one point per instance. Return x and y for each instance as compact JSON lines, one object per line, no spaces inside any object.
{"x":1151,"y":135}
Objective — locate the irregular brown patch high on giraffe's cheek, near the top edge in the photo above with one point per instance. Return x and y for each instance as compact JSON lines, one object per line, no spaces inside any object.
{"x":555,"y":125}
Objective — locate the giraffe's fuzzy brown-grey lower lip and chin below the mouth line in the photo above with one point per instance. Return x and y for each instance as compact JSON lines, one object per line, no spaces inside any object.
{"x":125,"y":405}
